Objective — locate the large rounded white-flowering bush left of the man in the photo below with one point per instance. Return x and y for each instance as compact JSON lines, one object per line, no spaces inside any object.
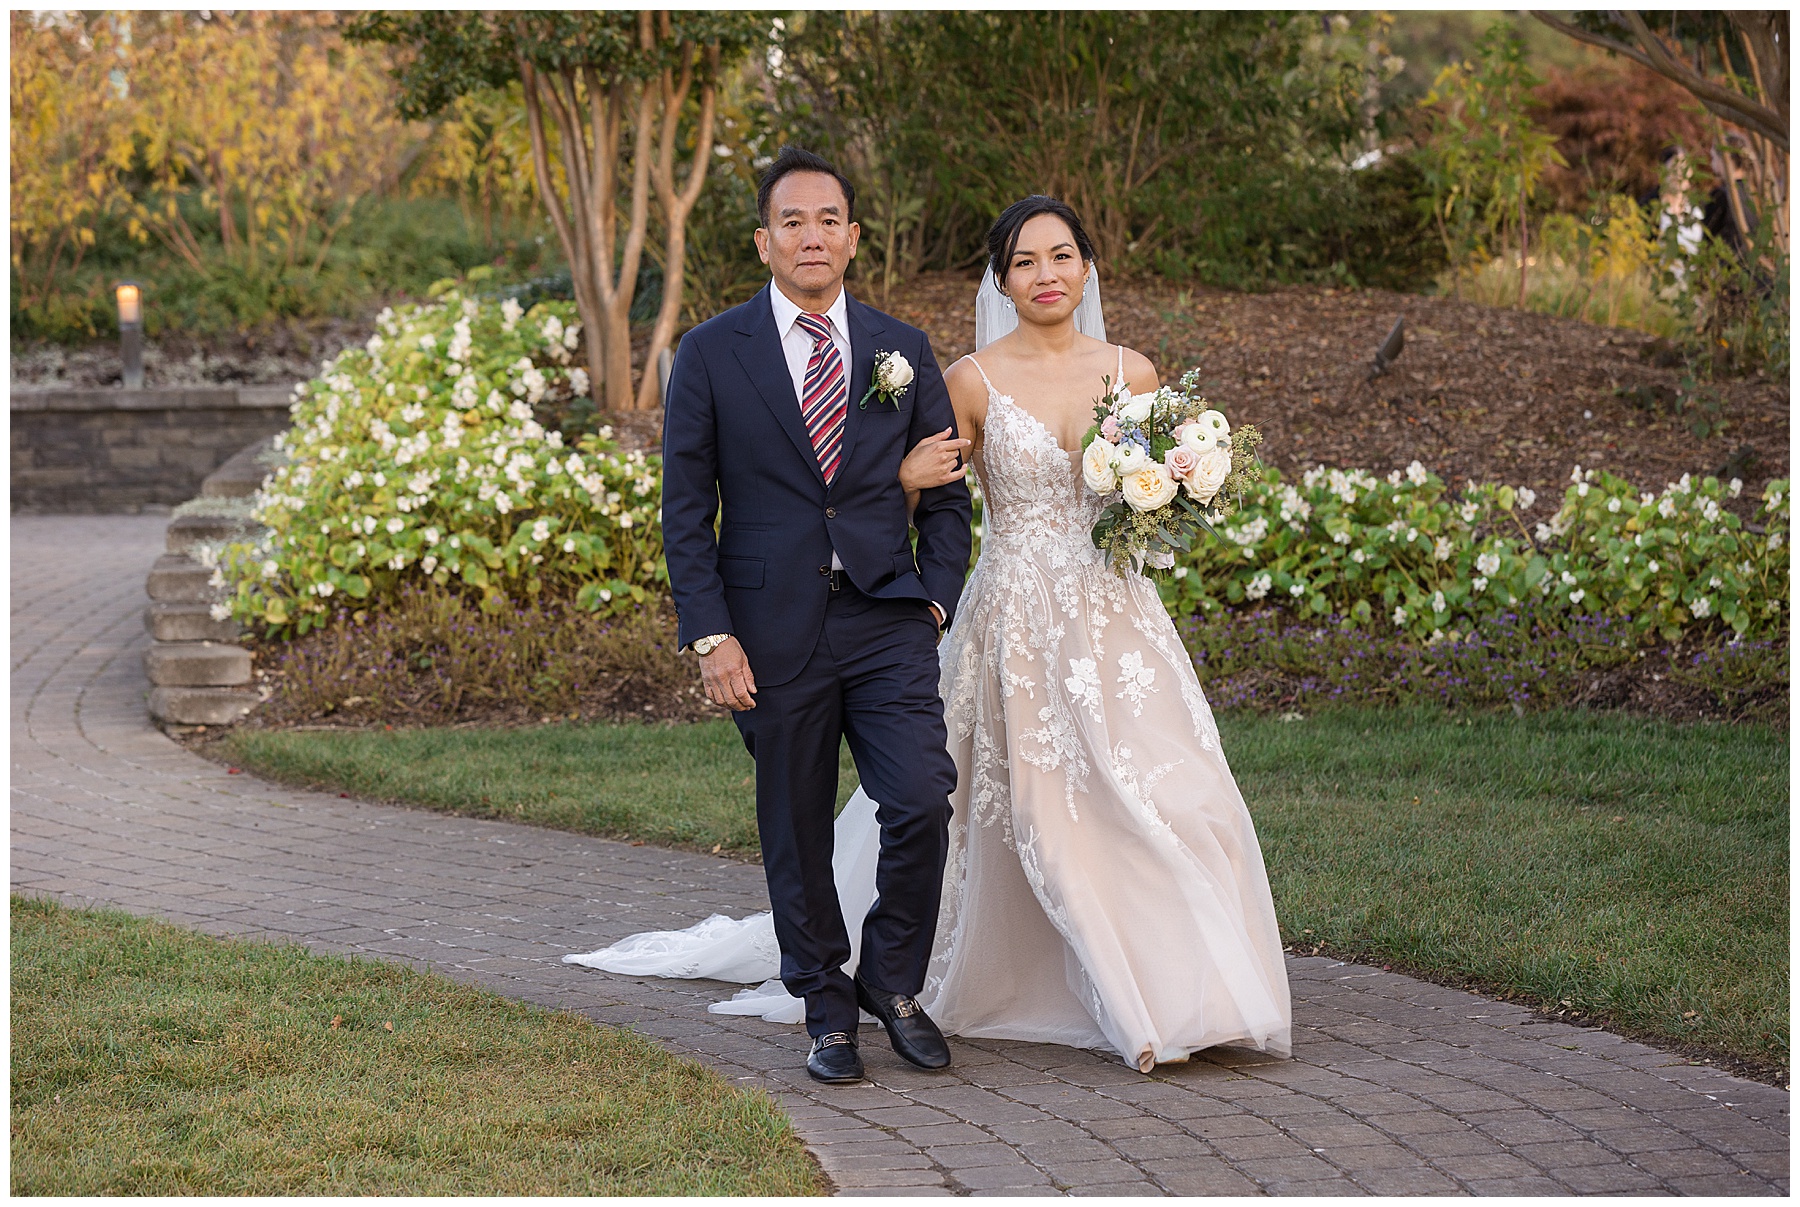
{"x":417,"y":458}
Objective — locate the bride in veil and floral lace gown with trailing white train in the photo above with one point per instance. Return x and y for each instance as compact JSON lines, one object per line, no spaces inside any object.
{"x":1104,"y":884}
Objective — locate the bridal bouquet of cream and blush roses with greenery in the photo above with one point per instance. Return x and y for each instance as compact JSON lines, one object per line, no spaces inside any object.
{"x":1158,"y":460}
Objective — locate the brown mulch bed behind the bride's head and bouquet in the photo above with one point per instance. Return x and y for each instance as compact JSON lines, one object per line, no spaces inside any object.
{"x":1479,"y":395}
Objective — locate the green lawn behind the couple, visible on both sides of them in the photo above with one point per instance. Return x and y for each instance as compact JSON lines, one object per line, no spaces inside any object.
{"x":1615,"y":866}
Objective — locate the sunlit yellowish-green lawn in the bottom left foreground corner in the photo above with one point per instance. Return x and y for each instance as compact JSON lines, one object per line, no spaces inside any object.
{"x":152,"y":1060}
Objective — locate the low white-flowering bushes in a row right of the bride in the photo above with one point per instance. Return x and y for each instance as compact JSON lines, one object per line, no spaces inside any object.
{"x":1403,"y":551}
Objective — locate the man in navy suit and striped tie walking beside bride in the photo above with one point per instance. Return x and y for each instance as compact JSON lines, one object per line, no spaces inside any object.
{"x":811,"y":611}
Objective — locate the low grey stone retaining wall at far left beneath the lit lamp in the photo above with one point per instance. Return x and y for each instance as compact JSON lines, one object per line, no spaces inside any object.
{"x":129,"y":451}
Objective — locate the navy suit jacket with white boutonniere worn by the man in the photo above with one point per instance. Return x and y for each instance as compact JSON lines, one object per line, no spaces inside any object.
{"x":735,"y":449}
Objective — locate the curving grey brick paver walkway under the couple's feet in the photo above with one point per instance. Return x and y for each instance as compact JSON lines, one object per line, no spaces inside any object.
{"x":1396,"y":1086}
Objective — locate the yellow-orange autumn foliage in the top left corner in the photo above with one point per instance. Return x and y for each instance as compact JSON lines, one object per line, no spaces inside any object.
{"x":237,"y":141}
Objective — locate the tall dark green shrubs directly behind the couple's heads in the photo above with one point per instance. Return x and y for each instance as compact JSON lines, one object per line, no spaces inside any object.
{"x":1200,"y":145}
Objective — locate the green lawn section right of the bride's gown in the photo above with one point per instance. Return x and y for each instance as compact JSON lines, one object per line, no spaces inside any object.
{"x":1628,"y":870}
